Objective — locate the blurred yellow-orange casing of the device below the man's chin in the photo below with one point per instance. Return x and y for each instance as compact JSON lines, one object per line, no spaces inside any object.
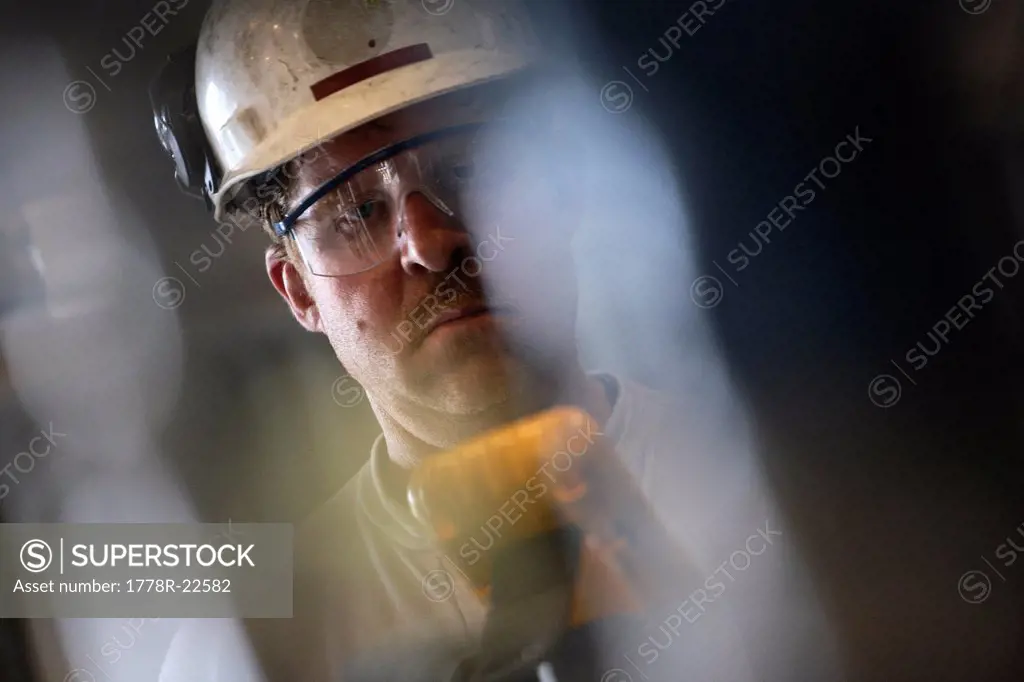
{"x":545,"y":474}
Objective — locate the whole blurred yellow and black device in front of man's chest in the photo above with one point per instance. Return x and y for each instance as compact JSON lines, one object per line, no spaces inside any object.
{"x":581,"y":566}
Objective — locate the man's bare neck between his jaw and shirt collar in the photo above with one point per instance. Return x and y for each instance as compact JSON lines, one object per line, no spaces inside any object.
{"x":410,"y":444}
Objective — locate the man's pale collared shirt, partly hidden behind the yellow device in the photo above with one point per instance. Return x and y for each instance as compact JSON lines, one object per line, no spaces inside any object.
{"x":376,"y":584}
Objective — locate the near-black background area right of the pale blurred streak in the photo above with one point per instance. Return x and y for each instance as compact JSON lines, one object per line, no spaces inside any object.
{"x":892,"y":504}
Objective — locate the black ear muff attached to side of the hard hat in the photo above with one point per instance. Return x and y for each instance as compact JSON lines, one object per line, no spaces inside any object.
{"x":176,"y":116}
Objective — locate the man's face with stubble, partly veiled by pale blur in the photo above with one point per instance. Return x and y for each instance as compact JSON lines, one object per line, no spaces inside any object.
{"x":472,"y":311}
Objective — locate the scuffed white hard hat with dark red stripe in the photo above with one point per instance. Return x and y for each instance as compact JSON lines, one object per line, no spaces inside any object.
{"x":275,"y":78}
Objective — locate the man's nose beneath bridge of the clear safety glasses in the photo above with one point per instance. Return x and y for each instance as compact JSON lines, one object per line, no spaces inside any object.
{"x":432,"y":238}
